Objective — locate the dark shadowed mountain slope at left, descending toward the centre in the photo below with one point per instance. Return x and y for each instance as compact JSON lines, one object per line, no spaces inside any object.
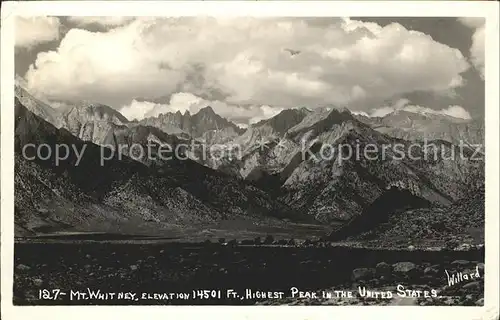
{"x":54,"y":195}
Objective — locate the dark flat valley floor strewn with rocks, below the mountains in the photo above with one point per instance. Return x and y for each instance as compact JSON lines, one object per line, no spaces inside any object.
{"x":149,"y":272}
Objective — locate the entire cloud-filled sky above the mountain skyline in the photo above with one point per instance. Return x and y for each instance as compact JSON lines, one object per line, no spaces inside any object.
{"x":248,"y":69}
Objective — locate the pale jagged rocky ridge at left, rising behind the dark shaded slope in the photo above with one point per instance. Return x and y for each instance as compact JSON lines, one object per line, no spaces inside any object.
{"x":106,"y":126}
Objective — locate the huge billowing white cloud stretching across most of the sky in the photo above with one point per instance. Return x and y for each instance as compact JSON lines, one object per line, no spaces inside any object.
{"x":247,"y":62}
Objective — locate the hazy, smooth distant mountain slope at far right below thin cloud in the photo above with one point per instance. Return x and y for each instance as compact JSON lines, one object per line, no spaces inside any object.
{"x":419,"y":126}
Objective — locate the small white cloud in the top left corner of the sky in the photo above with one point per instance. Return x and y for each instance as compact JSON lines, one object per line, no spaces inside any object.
{"x":31,"y":31}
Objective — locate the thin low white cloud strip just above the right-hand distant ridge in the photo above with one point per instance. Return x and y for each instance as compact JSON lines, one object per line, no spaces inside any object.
{"x":404,"y":105}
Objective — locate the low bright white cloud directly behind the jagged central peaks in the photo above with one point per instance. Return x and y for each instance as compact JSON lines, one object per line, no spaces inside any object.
{"x":183,"y":101}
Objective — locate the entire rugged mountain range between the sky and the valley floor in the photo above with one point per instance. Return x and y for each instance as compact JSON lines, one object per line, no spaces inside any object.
{"x":282,"y":169}
